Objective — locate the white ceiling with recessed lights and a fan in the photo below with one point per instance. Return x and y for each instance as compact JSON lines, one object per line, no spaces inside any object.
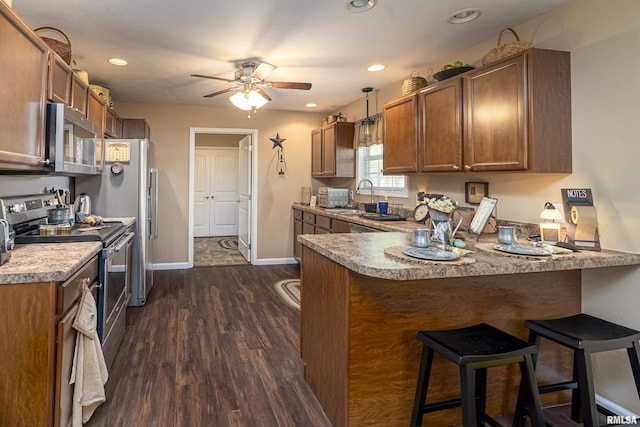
{"x":309,"y":41}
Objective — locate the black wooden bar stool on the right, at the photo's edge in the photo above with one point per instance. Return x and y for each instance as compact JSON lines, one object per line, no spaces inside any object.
{"x":585,"y":335}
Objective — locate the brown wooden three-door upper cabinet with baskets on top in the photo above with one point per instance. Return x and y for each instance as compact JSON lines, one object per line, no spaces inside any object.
{"x":512,"y":115}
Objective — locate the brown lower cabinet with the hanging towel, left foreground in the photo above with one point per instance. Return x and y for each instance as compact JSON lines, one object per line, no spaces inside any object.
{"x":37,"y":343}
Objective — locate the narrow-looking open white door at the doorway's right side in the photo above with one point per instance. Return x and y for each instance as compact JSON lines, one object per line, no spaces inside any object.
{"x":244,"y":196}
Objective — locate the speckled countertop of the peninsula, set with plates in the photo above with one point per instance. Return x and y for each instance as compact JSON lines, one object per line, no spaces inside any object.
{"x":364,"y":253}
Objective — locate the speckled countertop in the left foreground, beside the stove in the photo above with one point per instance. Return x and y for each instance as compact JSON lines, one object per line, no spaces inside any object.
{"x":46,"y":262}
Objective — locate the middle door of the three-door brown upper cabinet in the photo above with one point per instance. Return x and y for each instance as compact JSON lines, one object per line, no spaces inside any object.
{"x":441,"y":127}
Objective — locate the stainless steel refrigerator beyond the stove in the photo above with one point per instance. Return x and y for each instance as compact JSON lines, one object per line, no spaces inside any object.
{"x":128,"y":187}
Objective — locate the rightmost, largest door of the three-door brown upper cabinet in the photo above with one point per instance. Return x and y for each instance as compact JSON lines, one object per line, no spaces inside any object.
{"x":496,"y":136}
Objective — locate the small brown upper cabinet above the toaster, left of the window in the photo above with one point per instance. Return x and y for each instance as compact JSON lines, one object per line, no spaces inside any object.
{"x":332,"y":152}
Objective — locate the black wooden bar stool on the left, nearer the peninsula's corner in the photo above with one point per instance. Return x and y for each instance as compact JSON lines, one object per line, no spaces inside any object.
{"x":474,"y":349}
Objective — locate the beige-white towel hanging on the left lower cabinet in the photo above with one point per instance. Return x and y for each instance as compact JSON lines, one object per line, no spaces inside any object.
{"x":89,"y":372}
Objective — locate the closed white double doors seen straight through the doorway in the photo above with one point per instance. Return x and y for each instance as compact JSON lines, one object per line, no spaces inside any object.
{"x":216,"y":192}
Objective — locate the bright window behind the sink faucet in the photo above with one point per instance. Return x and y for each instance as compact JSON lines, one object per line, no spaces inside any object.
{"x":370,"y":167}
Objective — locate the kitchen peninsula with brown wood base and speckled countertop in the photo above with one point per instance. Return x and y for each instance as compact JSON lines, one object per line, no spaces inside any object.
{"x":361,"y":310}
